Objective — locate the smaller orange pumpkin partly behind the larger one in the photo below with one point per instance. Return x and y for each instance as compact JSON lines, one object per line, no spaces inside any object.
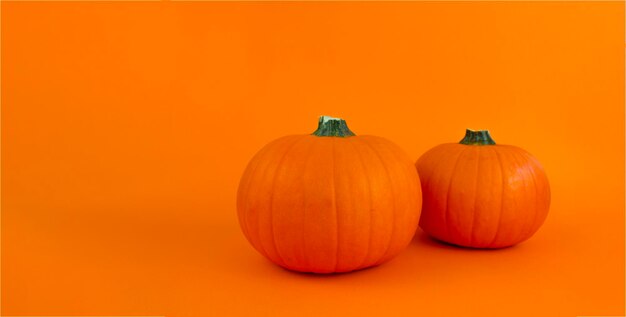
{"x":482,"y":195}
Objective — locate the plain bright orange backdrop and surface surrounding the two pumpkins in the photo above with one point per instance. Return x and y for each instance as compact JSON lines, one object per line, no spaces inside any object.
{"x":126,"y":127}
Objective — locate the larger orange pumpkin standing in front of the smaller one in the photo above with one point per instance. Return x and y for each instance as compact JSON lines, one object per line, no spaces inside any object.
{"x":330,"y":201}
